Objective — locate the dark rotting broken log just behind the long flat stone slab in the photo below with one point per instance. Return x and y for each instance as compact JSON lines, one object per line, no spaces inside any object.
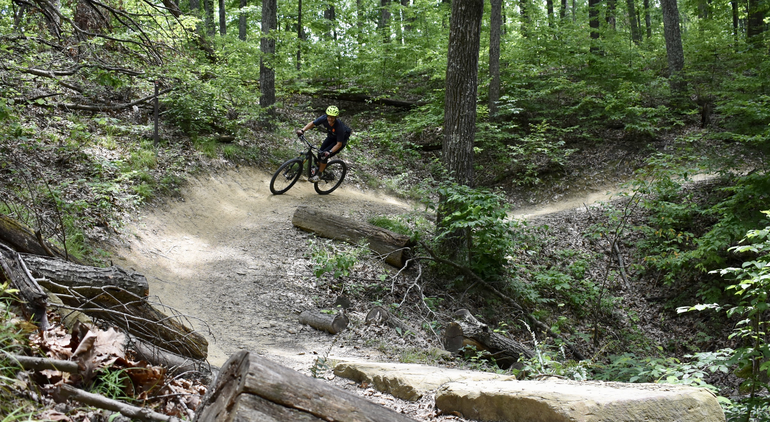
{"x":468,"y":331}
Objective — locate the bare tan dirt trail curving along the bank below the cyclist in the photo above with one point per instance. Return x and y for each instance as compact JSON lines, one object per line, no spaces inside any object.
{"x":228,"y":257}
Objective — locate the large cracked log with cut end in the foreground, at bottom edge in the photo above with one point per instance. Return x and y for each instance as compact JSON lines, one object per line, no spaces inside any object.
{"x":252,"y":388}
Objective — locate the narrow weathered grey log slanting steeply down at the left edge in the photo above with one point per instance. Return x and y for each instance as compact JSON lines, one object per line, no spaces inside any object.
{"x":34,"y":297}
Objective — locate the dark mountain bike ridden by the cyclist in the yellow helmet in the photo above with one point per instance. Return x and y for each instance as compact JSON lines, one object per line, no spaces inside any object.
{"x":290,"y":171}
